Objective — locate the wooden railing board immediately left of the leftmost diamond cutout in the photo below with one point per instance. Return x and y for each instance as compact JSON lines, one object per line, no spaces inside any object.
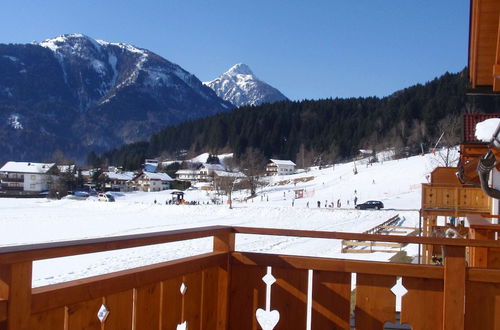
{"x":83,"y":316}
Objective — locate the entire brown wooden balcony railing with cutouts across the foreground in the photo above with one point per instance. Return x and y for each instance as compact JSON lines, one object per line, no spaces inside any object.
{"x":226,"y":288}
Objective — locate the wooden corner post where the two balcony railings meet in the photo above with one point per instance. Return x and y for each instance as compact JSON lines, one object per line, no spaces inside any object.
{"x":224,"y":242}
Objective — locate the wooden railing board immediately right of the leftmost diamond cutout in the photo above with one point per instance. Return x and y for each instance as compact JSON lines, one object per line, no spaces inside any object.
{"x":120,"y":307}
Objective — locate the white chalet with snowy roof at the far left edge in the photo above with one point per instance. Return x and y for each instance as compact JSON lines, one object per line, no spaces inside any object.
{"x":26,"y":178}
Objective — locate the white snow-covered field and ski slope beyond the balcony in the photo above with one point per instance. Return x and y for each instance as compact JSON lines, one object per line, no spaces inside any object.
{"x":395,"y":183}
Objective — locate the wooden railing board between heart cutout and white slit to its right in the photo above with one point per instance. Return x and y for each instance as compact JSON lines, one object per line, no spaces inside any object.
{"x":289,"y":297}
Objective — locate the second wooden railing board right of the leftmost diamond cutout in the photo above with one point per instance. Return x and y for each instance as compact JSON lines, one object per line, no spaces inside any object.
{"x":147,"y":307}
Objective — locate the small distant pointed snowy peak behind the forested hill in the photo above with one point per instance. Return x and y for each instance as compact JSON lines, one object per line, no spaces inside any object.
{"x":241,"y":87}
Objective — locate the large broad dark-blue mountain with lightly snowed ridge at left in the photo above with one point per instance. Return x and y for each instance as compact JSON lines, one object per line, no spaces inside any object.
{"x":77,"y":94}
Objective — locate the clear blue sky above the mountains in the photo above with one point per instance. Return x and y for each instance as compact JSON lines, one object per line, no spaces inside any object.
{"x":307,"y":49}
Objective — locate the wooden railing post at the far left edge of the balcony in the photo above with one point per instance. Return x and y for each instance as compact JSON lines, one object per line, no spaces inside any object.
{"x":15,"y":285}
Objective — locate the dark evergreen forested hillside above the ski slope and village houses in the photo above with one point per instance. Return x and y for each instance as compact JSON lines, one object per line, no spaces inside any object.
{"x":325,"y":129}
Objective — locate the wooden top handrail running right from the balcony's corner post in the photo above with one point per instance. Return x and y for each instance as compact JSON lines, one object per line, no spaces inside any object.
{"x":367,"y":237}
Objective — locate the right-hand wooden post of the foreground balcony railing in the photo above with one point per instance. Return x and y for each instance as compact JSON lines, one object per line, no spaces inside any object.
{"x":454,"y":288}
